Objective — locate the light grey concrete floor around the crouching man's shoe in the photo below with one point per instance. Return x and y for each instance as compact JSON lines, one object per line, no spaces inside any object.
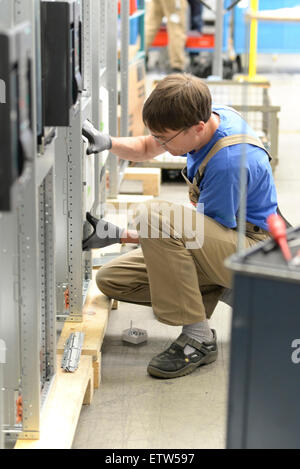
{"x":131,"y":410}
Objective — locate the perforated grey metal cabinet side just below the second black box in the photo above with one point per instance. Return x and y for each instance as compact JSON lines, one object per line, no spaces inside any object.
{"x":69,"y":199}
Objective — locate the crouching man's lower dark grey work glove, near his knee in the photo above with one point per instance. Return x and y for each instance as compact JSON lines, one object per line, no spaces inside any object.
{"x":103,"y":233}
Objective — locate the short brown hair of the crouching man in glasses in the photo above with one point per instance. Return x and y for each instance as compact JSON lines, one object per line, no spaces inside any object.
{"x":178,"y":102}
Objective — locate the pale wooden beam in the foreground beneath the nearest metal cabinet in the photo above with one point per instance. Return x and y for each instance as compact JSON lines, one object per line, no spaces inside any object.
{"x":62,"y":408}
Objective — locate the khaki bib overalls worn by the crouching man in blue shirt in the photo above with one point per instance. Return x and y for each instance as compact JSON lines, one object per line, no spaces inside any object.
{"x":182,"y":281}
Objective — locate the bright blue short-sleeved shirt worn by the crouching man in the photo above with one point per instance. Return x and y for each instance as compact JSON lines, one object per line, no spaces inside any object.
{"x":220,"y":186}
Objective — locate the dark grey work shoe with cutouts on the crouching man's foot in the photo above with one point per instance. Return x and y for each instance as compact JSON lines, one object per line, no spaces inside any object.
{"x":173,"y":362}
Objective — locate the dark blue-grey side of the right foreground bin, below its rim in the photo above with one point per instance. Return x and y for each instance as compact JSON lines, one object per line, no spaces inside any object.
{"x":264,"y":379}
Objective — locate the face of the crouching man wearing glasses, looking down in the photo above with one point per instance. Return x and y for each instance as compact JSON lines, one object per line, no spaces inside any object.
{"x":181,"y":141}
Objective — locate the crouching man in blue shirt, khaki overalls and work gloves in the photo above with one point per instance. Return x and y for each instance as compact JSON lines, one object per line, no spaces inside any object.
{"x":179,"y":268}
